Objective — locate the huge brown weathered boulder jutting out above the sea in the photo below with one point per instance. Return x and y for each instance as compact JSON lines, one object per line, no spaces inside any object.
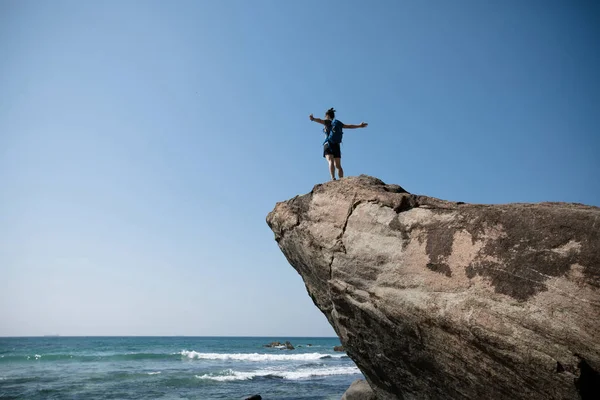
{"x":435,"y":299}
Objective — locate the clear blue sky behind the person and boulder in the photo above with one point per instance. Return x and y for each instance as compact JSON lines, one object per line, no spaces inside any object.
{"x":143,"y":143}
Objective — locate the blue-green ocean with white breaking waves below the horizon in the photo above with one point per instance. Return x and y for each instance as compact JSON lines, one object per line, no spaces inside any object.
{"x":172,"y":368}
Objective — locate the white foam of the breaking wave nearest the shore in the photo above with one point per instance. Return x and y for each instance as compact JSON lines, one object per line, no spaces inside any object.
{"x":231,"y":375}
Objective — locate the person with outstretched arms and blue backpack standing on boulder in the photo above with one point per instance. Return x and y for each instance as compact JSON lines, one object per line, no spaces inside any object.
{"x":331,"y":145}
